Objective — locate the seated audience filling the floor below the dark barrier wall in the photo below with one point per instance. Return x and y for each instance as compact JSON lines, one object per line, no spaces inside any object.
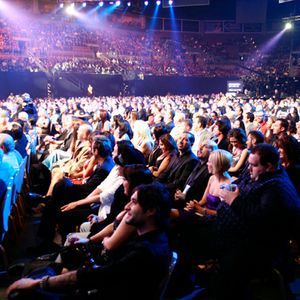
{"x":226,"y":166}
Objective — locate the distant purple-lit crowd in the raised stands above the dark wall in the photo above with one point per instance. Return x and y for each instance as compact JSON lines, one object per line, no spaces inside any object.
{"x":67,"y":45}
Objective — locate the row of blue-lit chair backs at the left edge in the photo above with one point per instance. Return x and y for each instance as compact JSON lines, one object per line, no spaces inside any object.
{"x":12,"y":210}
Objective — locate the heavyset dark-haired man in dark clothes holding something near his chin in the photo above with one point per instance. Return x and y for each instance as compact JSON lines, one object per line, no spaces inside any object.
{"x":255,"y":223}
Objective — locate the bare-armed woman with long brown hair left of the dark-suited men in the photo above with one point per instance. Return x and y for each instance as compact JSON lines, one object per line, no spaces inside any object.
{"x":168,"y":148}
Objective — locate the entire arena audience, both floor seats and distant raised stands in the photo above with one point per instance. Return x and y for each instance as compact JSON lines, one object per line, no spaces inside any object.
{"x":125,"y":181}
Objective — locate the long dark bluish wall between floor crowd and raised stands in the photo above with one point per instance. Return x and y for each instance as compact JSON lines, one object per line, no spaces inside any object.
{"x":74,"y":84}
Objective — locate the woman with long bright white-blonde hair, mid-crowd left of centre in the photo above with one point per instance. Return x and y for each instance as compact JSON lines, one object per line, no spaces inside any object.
{"x":142,"y":138}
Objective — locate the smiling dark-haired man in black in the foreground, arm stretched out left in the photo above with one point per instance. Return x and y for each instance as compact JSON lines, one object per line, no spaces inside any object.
{"x":135,"y":272}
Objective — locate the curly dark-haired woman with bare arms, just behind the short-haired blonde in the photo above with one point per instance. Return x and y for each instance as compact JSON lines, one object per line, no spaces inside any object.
{"x":237,"y":146}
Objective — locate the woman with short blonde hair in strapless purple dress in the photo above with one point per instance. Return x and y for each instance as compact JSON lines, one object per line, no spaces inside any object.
{"x":196,"y":219}
